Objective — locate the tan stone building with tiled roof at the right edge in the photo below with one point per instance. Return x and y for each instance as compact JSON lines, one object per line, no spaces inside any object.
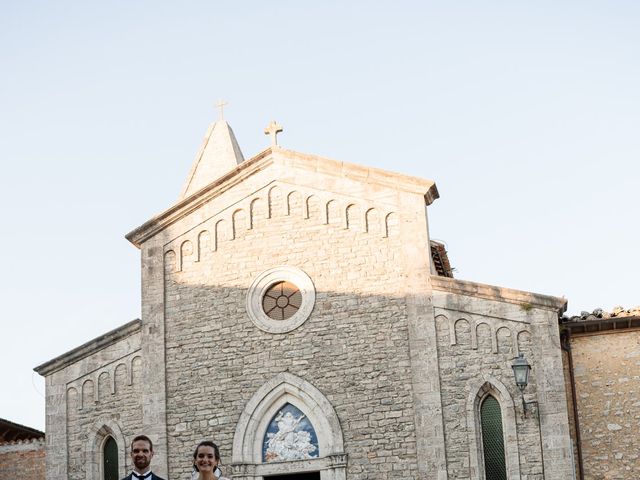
{"x":601,"y":355}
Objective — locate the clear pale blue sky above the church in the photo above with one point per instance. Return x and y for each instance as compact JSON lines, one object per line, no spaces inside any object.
{"x":526,"y":114}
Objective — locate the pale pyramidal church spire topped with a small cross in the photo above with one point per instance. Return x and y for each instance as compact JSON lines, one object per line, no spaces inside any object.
{"x":218,"y":155}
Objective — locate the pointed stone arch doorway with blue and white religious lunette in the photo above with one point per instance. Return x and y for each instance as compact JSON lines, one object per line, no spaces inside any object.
{"x":288,"y":431}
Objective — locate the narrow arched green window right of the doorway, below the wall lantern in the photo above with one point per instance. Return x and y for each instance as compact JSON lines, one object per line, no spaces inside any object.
{"x":493,"y":439}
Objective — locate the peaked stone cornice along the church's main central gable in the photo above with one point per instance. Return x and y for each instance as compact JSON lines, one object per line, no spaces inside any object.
{"x":314,"y":163}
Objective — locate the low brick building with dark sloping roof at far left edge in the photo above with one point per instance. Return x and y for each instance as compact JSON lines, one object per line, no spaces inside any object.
{"x":22,"y":452}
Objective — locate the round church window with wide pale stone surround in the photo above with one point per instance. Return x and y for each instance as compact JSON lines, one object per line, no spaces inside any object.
{"x":280,"y":299}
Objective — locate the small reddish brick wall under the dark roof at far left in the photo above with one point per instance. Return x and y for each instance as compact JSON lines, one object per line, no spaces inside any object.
{"x":23,"y":460}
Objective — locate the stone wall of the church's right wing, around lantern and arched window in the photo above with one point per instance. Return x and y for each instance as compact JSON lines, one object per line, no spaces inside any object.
{"x":477,"y":342}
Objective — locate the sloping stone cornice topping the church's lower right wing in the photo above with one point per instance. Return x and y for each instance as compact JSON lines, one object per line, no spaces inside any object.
{"x":501,"y":294}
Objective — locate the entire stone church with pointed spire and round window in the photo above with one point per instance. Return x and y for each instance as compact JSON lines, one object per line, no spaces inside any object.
{"x":296,"y":312}
